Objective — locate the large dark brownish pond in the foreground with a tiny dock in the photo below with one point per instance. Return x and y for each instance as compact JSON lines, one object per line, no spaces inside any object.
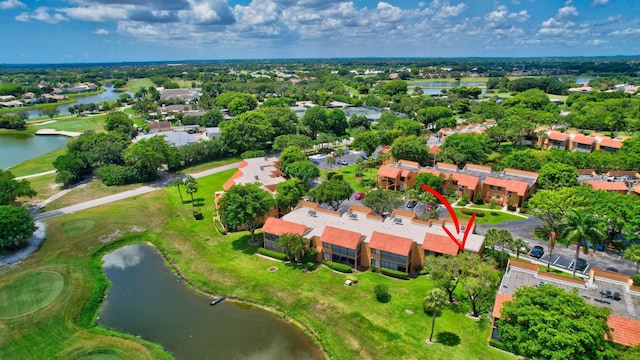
{"x":146,"y":299}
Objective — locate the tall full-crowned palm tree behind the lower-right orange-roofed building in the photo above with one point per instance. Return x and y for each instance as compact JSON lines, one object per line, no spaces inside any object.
{"x":578,"y":226}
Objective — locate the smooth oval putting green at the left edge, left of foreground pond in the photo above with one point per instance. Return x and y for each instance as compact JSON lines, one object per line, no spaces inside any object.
{"x":29,"y":293}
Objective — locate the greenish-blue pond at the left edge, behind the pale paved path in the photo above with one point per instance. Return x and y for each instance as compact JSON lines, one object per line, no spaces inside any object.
{"x":16,"y":148}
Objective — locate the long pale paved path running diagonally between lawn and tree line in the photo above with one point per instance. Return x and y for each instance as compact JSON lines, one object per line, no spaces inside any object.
{"x":126,"y":194}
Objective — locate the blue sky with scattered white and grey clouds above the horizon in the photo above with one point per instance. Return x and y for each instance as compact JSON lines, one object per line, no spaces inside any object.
{"x":63,"y":31}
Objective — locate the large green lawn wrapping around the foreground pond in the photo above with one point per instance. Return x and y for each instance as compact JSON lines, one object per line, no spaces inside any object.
{"x":348,"y":320}
